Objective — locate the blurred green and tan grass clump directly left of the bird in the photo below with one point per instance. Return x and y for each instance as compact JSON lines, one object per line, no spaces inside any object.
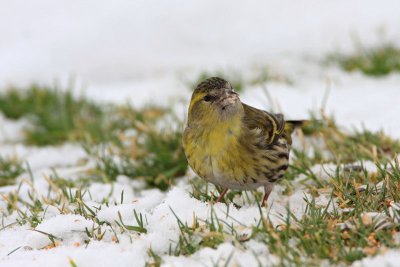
{"x":153,"y":155}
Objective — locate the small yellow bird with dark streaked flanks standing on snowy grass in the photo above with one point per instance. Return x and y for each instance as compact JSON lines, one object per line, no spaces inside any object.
{"x":234,"y":145}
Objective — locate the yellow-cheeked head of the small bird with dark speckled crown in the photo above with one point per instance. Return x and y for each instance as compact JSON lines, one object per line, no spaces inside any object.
{"x":214,"y":100}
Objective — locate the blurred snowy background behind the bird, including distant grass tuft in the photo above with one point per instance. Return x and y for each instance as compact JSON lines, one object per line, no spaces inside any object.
{"x":154,"y":52}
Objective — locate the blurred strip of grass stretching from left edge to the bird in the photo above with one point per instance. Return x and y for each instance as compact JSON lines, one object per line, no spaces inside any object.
{"x":121,"y":139}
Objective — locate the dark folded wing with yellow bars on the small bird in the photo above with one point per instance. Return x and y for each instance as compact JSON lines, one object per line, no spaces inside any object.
{"x":271,"y":125}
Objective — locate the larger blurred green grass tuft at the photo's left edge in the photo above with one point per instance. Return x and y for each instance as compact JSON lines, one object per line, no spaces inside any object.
{"x":56,"y":116}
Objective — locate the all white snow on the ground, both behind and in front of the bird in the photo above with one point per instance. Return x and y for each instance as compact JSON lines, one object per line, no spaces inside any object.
{"x":142,"y":52}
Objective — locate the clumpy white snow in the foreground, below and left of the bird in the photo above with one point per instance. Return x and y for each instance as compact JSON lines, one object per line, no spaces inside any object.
{"x":160,"y":211}
